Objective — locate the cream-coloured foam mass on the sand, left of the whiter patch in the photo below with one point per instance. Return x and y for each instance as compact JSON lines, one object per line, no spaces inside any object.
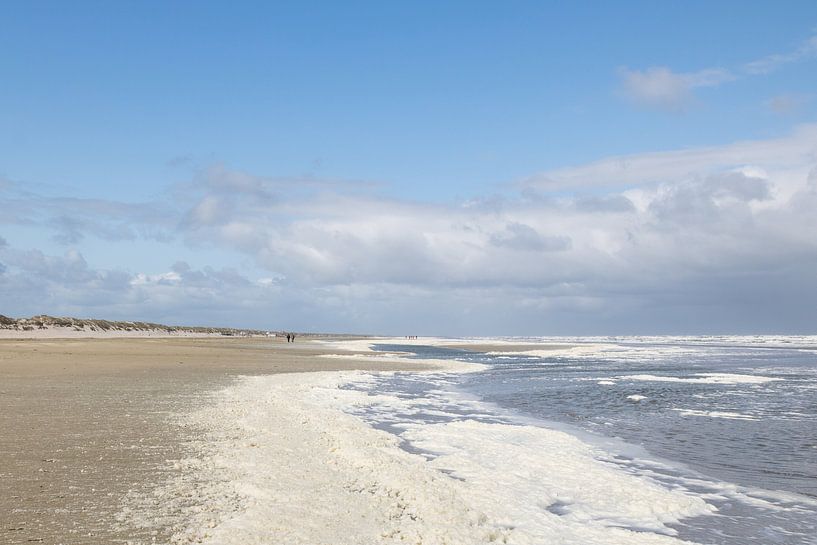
{"x":282,"y":464}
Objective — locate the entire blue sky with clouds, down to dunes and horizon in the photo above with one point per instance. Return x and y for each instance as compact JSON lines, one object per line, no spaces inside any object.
{"x":415,"y":168}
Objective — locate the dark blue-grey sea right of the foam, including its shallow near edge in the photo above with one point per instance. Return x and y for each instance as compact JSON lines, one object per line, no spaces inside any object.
{"x":726,"y":412}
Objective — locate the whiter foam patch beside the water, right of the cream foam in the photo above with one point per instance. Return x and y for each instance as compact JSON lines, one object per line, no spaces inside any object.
{"x":551,"y":486}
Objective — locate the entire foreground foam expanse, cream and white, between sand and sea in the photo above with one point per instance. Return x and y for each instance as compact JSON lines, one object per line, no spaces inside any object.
{"x":283,"y":462}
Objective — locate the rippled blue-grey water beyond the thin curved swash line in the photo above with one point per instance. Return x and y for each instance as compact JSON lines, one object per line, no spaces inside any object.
{"x":758,"y":434}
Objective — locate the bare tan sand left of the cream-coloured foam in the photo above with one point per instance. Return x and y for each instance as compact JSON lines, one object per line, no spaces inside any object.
{"x":83,"y":421}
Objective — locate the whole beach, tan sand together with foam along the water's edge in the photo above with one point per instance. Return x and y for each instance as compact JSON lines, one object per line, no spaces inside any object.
{"x":249,"y":439}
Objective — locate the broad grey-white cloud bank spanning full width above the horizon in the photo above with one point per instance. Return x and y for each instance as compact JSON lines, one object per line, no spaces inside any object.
{"x":717,"y":239}
